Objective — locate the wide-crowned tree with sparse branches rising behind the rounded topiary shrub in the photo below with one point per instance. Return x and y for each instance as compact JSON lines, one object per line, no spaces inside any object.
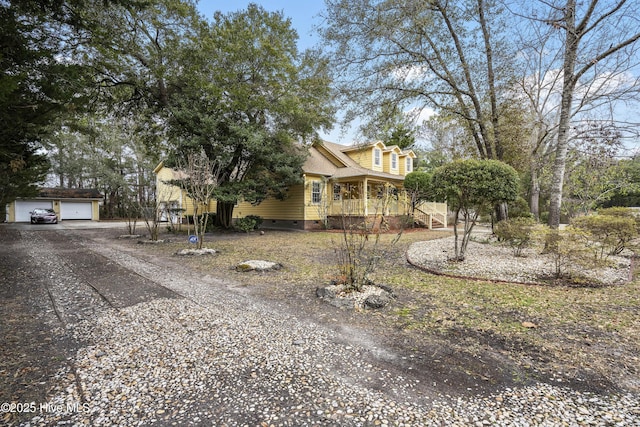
{"x":452,"y":56}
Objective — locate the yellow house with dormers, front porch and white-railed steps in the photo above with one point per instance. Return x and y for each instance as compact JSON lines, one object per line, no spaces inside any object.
{"x":361,"y":182}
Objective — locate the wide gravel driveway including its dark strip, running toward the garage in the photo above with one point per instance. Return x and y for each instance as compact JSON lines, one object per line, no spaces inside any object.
{"x":96,"y":335}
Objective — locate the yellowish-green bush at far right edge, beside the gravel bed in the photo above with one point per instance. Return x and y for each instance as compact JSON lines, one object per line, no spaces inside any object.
{"x":607,"y":234}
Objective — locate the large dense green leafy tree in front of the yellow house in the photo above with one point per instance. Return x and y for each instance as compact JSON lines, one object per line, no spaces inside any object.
{"x":252,"y":102}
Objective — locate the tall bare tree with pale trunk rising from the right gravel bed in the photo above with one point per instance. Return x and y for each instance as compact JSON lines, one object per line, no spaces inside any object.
{"x":594,"y":45}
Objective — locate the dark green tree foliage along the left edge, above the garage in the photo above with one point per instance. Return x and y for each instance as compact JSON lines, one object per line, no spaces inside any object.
{"x":39,"y":83}
